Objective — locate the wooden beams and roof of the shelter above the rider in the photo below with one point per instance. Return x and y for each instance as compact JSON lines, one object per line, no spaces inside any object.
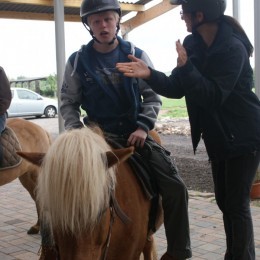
{"x":138,"y":12}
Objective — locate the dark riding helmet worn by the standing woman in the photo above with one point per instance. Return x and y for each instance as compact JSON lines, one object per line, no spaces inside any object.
{"x":212,"y":9}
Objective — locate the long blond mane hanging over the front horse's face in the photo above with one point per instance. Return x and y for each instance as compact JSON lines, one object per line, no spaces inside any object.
{"x":74,"y":183}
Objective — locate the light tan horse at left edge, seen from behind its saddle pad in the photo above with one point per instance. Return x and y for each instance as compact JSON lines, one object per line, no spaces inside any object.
{"x":32,"y":138}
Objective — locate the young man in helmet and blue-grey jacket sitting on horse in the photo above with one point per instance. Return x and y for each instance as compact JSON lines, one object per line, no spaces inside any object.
{"x":125,"y":109}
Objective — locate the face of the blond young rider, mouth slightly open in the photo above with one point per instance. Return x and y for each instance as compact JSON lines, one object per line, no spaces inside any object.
{"x":104,"y":25}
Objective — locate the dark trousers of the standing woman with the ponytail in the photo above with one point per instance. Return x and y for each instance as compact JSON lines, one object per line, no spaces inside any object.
{"x":233,"y":179}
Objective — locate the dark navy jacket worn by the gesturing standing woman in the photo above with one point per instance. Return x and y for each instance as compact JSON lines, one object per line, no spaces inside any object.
{"x":217,"y":84}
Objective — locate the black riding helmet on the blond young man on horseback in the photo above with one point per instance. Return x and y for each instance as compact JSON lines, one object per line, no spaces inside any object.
{"x":89,"y":7}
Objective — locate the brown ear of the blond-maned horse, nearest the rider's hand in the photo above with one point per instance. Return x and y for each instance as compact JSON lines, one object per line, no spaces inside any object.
{"x":119,"y":155}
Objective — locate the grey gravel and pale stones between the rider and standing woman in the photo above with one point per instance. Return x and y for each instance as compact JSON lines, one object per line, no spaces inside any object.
{"x":195,"y":169}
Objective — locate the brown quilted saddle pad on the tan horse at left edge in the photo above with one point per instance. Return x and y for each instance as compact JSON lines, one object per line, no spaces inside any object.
{"x":10,"y":145}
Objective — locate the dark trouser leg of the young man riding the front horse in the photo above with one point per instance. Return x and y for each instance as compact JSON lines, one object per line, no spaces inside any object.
{"x":174,"y":198}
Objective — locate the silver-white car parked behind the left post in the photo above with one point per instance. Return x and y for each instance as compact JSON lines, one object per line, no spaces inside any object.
{"x":26,"y":102}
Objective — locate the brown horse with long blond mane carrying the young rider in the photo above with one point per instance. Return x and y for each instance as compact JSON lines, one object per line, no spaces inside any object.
{"x":78,"y":178}
